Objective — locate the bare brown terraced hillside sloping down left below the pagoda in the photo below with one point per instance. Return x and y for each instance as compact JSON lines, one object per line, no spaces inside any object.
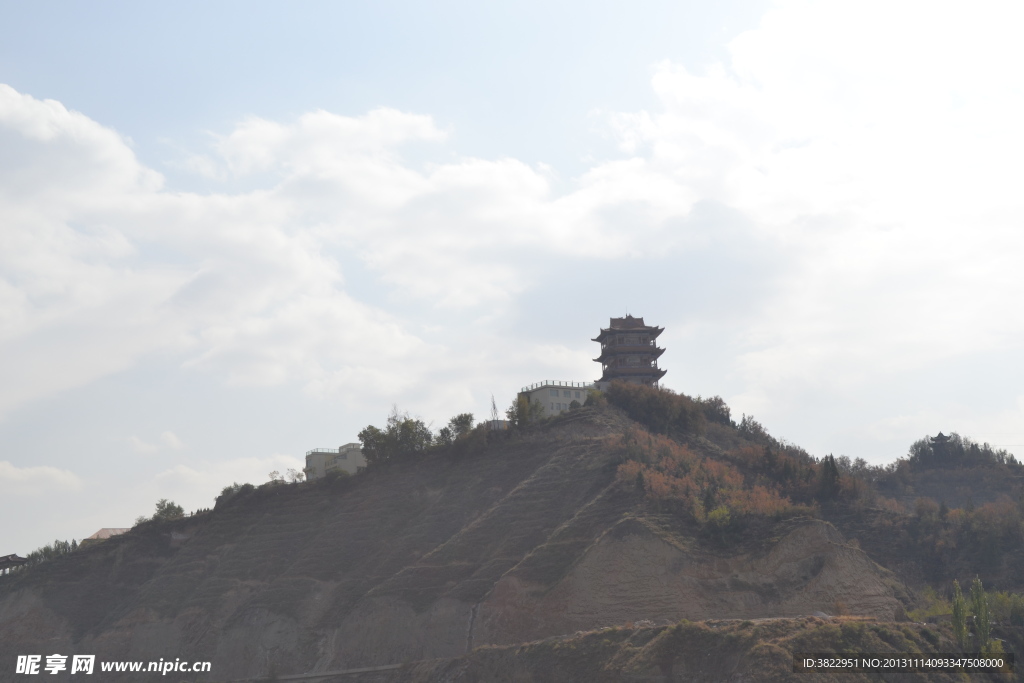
{"x":531,"y":539}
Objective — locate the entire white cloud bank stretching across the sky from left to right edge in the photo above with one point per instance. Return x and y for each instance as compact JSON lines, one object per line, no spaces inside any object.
{"x":875,"y":164}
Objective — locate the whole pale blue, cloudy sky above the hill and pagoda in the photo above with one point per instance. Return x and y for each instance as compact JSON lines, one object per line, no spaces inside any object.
{"x":235,"y":232}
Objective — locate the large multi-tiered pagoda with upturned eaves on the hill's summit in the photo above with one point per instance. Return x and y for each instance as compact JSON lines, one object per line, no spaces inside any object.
{"x":629,"y":352}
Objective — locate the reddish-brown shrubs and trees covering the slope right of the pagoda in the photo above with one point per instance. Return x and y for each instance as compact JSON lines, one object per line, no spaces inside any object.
{"x":697,"y":461}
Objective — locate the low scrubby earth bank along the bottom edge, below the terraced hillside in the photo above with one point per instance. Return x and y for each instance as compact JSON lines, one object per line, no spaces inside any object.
{"x":714,"y":652}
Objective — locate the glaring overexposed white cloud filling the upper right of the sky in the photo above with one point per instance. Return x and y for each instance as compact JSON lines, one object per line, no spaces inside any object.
{"x":884,"y":155}
